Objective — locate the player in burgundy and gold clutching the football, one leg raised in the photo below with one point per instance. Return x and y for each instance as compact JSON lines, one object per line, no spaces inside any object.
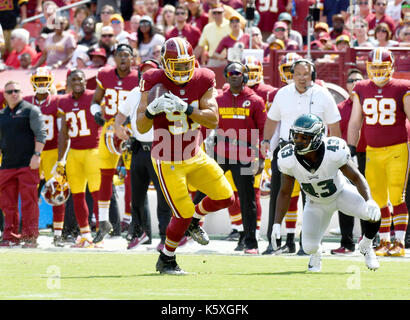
{"x":176,"y":154}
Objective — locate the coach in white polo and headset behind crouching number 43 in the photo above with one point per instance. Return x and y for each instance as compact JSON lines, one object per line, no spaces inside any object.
{"x":300,"y":97}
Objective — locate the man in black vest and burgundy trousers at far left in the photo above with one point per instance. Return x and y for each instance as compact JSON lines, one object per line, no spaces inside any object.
{"x":22,"y":138}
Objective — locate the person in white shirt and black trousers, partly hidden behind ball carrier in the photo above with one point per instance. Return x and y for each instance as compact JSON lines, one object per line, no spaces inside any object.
{"x":142,"y":170}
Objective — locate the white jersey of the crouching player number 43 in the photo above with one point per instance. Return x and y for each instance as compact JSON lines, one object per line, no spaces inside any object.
{"x":323,"y":184}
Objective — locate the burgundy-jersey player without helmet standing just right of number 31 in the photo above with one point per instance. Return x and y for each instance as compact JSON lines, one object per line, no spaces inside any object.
{"x":113,"y":86}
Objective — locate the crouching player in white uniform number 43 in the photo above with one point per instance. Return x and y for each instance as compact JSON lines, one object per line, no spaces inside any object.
{"x":321,"y":166}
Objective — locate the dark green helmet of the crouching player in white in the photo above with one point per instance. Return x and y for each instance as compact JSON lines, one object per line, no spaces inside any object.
{"x":309,"y":125}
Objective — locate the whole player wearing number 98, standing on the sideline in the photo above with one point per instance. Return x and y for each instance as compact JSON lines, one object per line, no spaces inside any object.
{"x":383,"y":104}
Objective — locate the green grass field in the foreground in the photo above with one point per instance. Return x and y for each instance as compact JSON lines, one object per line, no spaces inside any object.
{"x":91,"y":275}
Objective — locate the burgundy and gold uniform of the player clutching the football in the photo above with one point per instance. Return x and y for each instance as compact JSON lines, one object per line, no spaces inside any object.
{"x":178,"y":158}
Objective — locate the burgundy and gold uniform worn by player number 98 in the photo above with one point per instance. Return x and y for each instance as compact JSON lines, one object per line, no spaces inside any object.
{"x":387,"y":151}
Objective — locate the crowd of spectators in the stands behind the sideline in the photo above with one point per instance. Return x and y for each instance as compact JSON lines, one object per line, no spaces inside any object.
{"x":70,"y":38}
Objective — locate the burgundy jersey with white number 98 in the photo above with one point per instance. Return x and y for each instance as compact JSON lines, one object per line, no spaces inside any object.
{"x":383,"y":110}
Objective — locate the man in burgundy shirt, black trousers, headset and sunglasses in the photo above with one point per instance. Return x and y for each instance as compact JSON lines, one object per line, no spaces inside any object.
{"x":242,"y":116}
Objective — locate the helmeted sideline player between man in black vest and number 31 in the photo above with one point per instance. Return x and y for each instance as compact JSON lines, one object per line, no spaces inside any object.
{"x":42,"y":80}
